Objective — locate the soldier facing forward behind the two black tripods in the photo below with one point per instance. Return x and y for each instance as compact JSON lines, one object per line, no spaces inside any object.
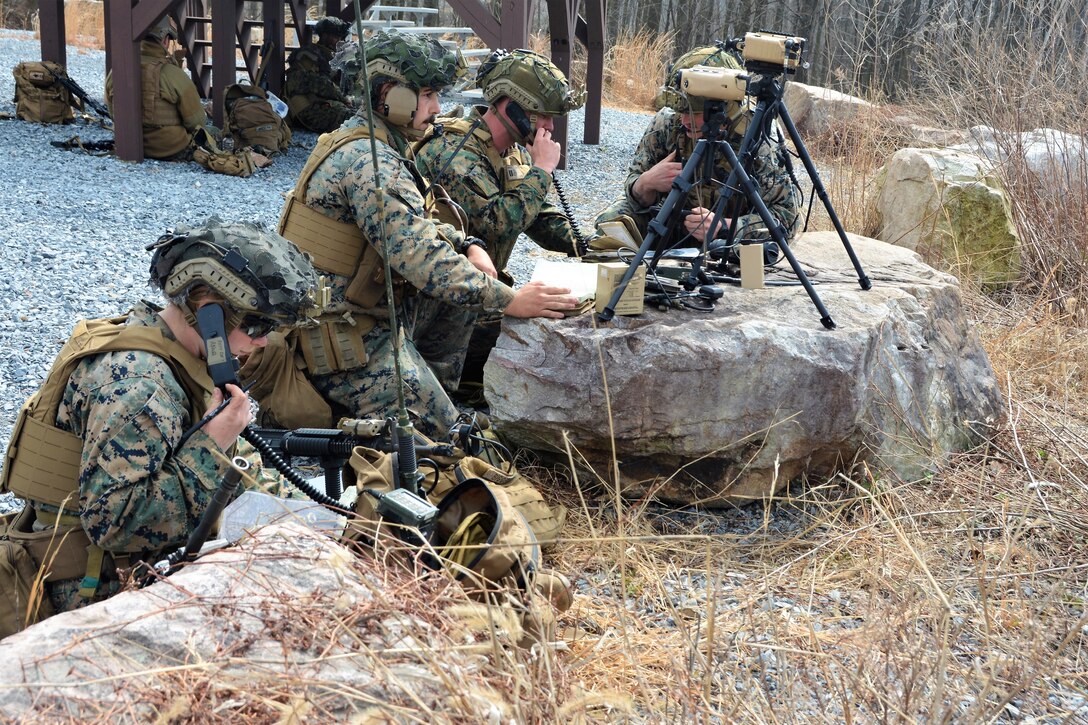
{"x":667,"y":136}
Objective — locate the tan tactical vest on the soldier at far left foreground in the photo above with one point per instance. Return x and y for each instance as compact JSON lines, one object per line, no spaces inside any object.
{"x":43,"y":461}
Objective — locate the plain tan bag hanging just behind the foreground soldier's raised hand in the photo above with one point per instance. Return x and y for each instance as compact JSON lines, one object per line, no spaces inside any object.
{"x":287,"y":398}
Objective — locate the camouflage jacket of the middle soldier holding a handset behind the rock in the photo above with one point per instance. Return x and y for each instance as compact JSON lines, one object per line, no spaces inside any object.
{"x":500,"y":205}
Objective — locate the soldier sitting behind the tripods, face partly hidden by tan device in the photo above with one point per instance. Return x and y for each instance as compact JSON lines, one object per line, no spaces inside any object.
{"x":671,"y":140}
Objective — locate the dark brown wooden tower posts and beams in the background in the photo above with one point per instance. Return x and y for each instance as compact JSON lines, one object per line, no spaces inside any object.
{"x":220,"y":42}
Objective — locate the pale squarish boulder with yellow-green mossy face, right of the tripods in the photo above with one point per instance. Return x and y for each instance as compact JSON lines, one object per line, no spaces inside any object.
{"x":950,"y":206}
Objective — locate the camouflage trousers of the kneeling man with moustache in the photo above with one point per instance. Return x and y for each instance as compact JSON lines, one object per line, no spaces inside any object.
{"x":372,"y":390}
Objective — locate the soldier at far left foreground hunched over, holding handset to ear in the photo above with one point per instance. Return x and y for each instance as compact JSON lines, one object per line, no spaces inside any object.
{"x":121,"y":405}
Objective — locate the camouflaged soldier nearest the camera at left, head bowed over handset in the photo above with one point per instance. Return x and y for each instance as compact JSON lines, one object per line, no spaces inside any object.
{"x":142,"y":489}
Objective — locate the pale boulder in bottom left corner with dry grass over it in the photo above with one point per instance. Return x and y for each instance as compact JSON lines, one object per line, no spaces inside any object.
{"x":289,"y":628}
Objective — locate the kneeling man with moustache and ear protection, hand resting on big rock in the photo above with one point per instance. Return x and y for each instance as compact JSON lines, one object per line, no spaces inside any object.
{"x":426,"y":257}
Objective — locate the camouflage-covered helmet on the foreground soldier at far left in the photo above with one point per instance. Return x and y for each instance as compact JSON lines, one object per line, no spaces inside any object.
{"x":259,"y":275}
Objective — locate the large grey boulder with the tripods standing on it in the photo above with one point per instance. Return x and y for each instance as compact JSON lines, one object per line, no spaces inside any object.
{"x":716,"y":408}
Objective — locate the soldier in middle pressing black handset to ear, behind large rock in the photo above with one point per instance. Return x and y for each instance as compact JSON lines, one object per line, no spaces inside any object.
{"x":503,"y":191}
